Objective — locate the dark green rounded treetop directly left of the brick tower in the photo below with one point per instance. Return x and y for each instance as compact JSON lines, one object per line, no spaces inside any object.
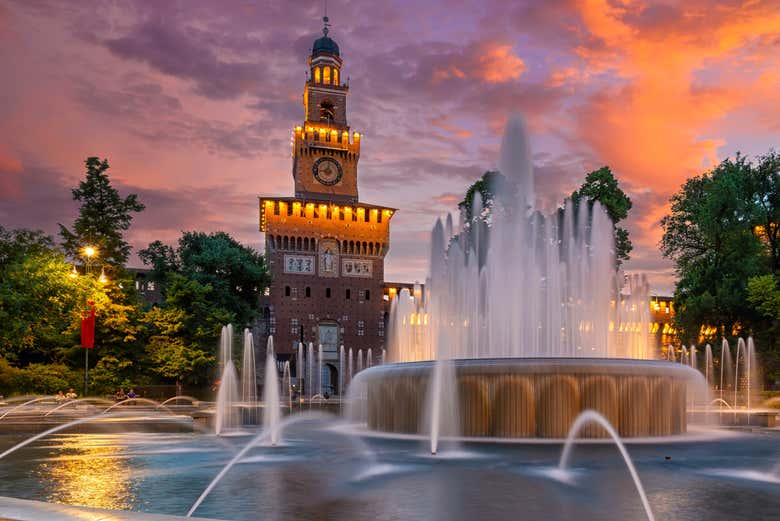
{"x":235,"y":274}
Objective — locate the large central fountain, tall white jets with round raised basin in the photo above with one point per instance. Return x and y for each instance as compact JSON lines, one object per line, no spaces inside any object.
{"x":535,"y":322}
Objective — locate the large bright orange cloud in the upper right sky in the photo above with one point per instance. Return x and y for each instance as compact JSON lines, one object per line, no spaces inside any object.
{"x":653,"y":126}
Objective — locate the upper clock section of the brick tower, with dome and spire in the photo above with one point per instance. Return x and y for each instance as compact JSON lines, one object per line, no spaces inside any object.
{"x":325,"y":152}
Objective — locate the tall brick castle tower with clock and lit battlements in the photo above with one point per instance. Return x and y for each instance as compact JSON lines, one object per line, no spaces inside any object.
{"x":325,"y":249}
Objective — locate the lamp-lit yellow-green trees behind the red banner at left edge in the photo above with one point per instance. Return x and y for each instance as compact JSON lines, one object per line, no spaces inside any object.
{"x":42,"y":302}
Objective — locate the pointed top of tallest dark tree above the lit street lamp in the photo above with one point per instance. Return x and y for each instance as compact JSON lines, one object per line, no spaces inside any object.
{"x":103,"y":218}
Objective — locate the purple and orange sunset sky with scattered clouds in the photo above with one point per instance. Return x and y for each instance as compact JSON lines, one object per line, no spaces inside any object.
{"x":193,"y":102}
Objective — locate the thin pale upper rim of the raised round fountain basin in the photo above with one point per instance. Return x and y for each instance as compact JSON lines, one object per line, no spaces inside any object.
{"x":595,"y":366}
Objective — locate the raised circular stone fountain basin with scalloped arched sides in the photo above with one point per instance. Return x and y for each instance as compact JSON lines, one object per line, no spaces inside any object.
{"x":535,"y":397}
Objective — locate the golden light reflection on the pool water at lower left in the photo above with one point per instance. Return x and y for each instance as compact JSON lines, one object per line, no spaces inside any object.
{"x":87,"y":472}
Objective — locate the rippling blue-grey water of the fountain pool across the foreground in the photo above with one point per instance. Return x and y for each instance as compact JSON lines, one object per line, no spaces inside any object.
{"x":318,"y":473}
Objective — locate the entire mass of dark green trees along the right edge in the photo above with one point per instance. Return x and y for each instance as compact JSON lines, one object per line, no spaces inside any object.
{"x":722,"y":234}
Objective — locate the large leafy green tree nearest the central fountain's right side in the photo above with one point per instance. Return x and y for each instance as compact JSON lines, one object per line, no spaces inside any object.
{"x":711,"y":237}
